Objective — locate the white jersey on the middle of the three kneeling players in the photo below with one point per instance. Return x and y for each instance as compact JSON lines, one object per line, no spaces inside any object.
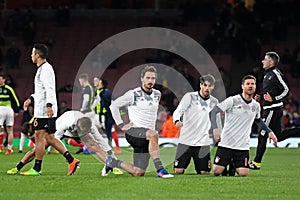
{"x":196,"y":124}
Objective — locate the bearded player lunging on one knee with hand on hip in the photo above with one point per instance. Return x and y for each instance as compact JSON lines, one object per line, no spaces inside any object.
{"x":142,"y":103}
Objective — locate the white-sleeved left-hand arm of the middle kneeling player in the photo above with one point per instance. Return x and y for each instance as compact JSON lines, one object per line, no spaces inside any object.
{"x":181,"y":108}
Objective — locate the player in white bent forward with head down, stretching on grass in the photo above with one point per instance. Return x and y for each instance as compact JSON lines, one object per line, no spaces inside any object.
{"x":74,"y":124}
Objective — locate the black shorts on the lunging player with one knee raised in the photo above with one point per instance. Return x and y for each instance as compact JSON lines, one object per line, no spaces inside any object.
{"x":136,"y":137}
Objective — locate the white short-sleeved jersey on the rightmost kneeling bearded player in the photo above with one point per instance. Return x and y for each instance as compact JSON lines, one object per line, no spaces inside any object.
{"x":239,"y":117}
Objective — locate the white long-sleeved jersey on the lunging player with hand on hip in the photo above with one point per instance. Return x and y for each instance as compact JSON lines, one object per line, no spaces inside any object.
{"x":142,"y":107}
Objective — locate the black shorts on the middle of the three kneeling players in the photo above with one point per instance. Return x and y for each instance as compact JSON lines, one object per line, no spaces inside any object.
{"x":200,"y":155}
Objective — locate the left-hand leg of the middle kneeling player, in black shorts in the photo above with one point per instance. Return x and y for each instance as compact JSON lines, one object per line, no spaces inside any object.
{"x":182,"y":158}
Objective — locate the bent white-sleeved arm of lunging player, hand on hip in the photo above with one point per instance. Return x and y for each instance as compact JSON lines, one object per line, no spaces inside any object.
{"x":115,"y":106}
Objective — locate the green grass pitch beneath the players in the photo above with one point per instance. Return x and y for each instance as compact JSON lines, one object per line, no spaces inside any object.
{"x":279,"y":178}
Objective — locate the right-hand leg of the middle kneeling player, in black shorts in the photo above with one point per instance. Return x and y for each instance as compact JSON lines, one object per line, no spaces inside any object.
{"x":201,"y":157}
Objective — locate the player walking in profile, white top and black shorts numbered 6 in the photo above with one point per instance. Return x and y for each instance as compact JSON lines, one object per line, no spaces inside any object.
{"x":45,"y":111}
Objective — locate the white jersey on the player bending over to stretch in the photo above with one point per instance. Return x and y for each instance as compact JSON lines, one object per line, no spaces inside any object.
{"x":66,"y":126}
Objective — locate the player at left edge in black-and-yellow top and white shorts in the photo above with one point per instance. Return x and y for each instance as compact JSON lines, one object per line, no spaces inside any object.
{"x":9,"y":108}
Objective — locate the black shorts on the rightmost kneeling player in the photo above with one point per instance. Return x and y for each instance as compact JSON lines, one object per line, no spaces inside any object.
{"x":240,"y":158}
